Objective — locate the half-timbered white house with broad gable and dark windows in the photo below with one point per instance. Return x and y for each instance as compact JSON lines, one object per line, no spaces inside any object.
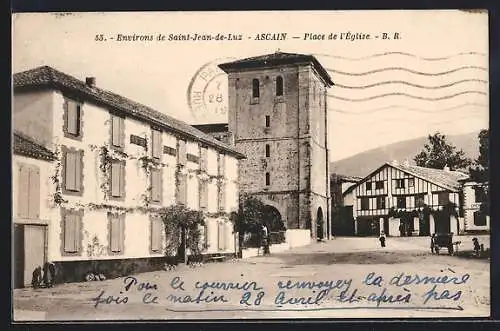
{"x":406,"y":200}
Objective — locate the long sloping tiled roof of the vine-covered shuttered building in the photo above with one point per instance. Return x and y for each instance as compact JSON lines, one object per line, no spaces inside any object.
{"x":46,"y":76}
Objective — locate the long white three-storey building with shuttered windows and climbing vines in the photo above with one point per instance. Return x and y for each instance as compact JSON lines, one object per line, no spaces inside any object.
{"x":116,"y":163}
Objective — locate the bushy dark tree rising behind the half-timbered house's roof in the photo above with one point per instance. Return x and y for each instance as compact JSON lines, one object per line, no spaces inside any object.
{"x":438,"y":153}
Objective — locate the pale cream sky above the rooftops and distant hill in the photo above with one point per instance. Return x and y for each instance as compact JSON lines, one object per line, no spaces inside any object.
{"x":433,"y":78}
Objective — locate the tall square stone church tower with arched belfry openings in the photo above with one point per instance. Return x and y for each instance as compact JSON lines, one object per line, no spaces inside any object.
{"x":278,"y":118}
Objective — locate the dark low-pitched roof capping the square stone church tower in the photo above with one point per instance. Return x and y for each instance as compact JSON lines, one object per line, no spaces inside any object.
{"x":277,"y":59}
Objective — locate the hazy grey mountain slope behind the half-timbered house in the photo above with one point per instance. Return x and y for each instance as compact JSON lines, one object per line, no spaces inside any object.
{"x":363,"y":163}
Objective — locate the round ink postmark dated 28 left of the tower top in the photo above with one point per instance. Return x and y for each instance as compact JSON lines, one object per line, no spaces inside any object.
{"x":207,"y":93}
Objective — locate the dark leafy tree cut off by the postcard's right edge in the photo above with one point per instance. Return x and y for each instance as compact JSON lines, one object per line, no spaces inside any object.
{"x":480,"y":171}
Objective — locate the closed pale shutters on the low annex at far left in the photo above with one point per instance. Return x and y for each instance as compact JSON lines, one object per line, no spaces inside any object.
{"x":28,"y":202}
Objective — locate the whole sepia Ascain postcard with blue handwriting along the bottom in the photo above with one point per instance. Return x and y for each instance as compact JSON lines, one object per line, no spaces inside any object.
{"x":250,"y":165}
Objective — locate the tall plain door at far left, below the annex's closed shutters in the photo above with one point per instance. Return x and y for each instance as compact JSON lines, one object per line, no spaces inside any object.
{"x":34,"y":250}
